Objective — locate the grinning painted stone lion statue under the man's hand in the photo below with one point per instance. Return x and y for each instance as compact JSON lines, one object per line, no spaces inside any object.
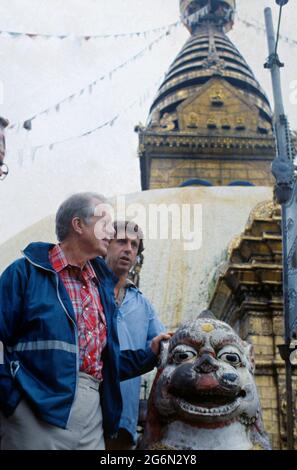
{"x":204,"y":395}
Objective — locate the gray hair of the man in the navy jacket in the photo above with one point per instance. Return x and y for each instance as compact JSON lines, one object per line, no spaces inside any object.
{"x":78,"y":205}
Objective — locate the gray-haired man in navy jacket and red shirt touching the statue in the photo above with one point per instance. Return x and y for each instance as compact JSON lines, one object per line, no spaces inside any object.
{"x":58,"y":328}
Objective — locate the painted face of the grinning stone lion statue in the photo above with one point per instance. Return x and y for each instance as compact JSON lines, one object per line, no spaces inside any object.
{"x":206,"y":376}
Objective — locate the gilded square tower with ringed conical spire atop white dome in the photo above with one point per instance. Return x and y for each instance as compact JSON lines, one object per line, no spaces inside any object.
{"x":210,"y":123}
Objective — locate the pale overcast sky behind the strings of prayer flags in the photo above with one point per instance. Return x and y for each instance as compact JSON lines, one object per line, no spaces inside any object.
{"x":36,"y":74}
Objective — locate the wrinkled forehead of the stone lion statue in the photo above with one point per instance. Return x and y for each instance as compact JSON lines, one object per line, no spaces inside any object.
{"x":201,"y":333}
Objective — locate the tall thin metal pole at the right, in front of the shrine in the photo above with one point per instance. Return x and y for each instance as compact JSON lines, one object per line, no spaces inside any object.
{"x":284,"y":172}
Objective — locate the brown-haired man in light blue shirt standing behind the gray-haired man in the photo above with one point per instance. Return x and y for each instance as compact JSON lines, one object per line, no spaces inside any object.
{"x":138,"y":322}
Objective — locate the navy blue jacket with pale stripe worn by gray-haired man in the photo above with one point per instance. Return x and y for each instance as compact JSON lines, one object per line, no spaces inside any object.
{"x":39,"y":334}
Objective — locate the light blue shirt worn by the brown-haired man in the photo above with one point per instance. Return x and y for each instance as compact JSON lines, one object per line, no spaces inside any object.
{"x":138,"y":324}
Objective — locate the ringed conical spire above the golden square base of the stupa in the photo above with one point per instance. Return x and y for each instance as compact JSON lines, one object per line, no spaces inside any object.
{"x":207,"y":54}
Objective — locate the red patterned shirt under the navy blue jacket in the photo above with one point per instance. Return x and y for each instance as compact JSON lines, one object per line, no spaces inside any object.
{"x":81,"y":285}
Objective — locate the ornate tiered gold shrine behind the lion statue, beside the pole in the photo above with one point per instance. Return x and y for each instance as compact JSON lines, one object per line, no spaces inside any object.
{"x":249,"y":296}
